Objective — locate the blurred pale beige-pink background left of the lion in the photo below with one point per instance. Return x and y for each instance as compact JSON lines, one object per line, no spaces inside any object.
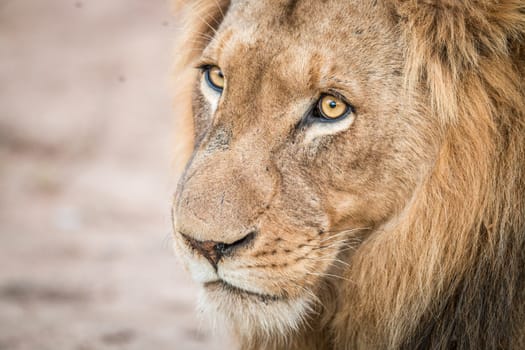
{"x":86,"y":179}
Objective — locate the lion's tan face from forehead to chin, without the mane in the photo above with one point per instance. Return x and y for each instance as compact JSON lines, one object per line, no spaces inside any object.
{"x":304,"y":146}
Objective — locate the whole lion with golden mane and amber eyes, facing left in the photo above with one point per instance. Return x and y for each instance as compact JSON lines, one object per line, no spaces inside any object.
{"x":357,"y":171}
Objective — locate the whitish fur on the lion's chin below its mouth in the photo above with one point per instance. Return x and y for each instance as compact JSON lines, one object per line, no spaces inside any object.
{"x":251,"y":316}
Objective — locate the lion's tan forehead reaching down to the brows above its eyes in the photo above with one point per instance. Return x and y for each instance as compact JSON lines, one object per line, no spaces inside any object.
{"x":308,"y":46}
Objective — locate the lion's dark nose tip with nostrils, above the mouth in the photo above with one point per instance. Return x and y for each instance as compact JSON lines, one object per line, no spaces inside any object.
{"x":214,"y":251}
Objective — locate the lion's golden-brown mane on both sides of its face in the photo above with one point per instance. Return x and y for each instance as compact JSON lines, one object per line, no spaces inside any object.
{"x":456,"y":254}
